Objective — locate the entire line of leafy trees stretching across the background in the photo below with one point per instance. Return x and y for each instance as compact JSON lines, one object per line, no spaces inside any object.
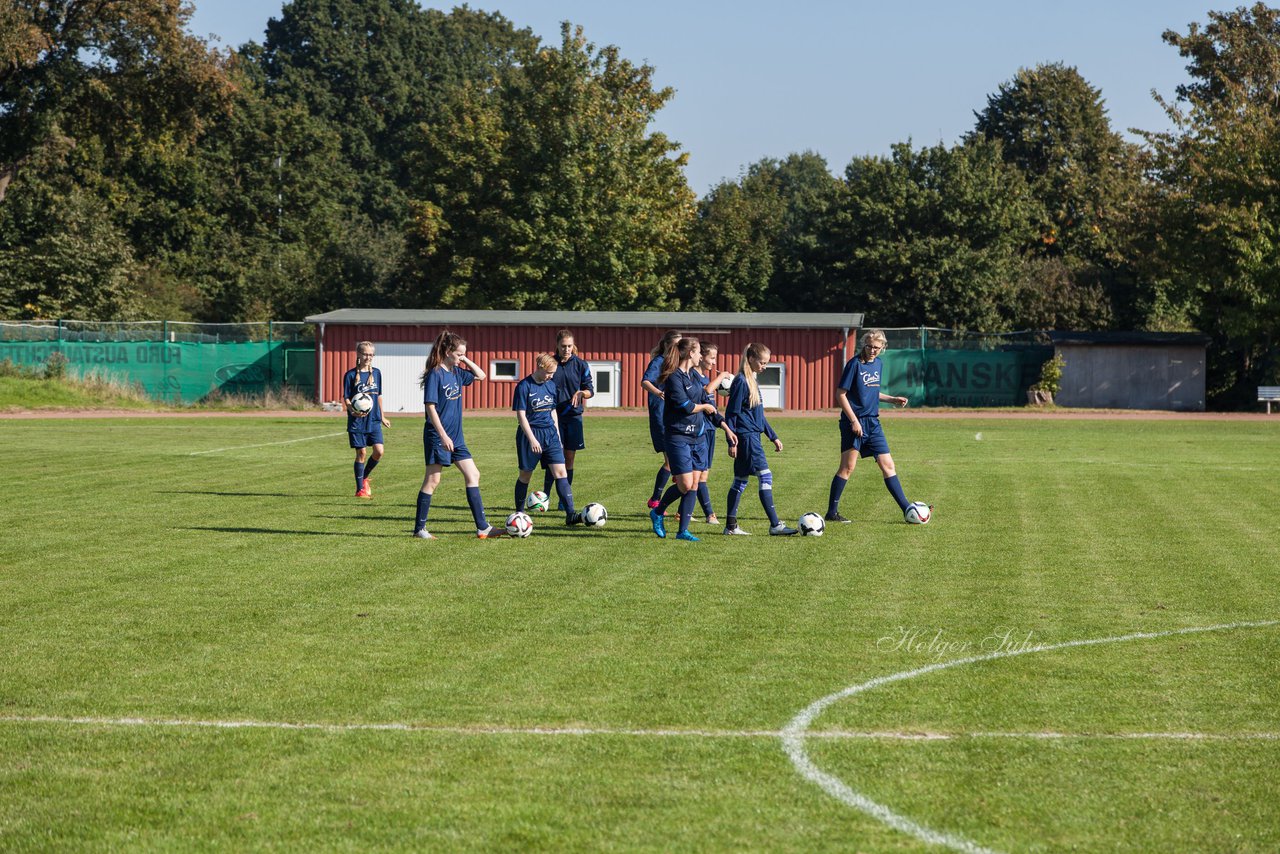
{"x":373,"y":153}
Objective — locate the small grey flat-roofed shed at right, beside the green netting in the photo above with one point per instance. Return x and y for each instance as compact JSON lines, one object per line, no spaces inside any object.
{"x":1132,"y":371}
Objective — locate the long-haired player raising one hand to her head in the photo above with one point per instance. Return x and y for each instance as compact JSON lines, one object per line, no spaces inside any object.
{"x":449,"y":372}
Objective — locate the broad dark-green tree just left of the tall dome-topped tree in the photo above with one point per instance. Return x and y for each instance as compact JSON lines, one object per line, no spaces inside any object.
{"x":930,"y":236}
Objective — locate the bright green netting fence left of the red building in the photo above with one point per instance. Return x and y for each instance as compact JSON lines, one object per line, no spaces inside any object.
{"x":173,"y":363}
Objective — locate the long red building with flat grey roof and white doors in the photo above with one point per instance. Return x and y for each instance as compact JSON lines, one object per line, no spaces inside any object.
{"x":810,"y":350}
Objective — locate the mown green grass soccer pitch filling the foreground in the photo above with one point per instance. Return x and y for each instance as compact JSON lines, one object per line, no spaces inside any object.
{"x":607,"y":691}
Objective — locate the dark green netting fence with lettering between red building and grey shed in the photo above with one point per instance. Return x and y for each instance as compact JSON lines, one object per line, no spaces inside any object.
{"x":961,"y":368}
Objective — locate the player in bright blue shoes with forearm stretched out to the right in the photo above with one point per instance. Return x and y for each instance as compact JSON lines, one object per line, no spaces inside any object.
{"x":684,"y":427}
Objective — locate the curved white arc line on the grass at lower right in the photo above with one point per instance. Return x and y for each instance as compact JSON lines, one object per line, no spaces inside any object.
{"x":798,"y":730}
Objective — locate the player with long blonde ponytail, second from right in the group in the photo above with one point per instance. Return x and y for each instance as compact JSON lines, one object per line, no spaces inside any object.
{"x":746,"y":417}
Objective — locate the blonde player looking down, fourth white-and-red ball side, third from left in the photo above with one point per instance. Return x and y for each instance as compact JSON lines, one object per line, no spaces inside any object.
{"x":538,"y":436}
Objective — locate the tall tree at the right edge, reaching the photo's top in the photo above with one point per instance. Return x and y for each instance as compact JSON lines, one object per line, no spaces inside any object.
{"x":1219,"y":171}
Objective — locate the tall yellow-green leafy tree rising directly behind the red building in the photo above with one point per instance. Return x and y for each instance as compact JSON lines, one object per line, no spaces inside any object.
{"x":546,"y":190}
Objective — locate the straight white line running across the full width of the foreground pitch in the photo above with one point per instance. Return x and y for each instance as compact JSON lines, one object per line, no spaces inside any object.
{"x":872,"y":736}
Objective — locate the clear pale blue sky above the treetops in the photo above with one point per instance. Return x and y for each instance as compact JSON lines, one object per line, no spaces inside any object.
{"x":765,"y":79}
